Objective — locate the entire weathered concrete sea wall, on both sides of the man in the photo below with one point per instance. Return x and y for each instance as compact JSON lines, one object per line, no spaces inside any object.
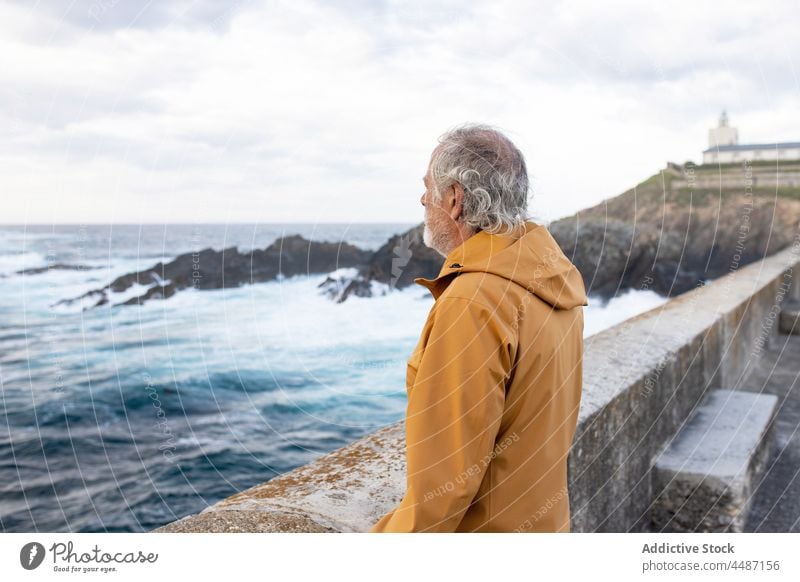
{"x":642,"y":380}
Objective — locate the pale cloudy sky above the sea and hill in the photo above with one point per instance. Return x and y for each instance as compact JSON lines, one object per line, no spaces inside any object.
{"x":136,"y":111}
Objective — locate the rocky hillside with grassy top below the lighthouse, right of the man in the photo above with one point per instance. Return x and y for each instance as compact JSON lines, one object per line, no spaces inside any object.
{"x":683,"y":225}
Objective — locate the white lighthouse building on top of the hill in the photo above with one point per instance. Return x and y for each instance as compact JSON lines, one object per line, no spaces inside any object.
{"x":724,"y":147}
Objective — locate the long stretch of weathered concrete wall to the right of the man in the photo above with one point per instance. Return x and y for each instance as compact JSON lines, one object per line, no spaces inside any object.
{"x":644,"y":377}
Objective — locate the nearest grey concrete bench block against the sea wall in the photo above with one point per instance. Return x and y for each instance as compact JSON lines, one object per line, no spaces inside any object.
{"x":703,"y":481}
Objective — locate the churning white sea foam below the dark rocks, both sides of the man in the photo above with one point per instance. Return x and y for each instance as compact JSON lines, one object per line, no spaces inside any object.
{"x":284,"y":332}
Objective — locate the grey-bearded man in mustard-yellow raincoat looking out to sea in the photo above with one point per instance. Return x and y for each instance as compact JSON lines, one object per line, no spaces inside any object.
{"x":494,"y":383}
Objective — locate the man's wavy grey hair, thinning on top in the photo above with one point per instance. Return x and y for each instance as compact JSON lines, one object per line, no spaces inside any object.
{"x":492,"y":172}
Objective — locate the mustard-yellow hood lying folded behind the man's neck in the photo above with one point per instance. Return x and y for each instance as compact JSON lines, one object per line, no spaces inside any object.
{"x":533,"y":261}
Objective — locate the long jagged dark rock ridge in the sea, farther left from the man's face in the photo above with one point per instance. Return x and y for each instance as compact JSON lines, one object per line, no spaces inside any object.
{"x":211,"y":269}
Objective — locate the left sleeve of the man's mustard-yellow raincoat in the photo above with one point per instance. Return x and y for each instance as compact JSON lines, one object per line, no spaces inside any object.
{"x":454,"y":410}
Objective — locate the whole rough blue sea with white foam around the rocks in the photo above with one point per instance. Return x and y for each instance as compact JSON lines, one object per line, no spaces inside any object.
{"x":124,"y":418}
